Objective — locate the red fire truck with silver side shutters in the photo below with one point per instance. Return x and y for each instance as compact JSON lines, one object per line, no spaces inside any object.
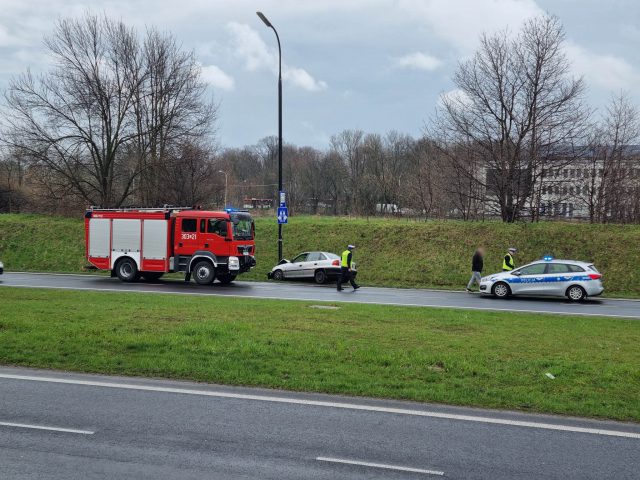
{"x":149,"y":242}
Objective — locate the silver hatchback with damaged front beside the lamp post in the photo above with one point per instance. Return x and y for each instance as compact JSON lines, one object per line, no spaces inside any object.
{"x":321,"y":266}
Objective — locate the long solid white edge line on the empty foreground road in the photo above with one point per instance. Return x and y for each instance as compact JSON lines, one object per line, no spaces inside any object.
{"x":327,"y":404}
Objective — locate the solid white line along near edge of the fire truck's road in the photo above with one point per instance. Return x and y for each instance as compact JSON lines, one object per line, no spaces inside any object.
{"x":337,"y":298}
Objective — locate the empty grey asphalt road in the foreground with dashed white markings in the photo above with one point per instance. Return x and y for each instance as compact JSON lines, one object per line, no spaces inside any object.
{"x":67,"y":426}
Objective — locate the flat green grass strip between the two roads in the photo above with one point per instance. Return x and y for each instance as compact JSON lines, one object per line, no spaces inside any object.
{"x":484,"y":359}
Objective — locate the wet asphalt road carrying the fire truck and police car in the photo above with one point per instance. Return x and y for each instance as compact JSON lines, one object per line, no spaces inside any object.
{"x":327,"y":293}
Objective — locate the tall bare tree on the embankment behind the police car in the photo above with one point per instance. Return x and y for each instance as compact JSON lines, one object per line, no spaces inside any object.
{"x":516,"y":105}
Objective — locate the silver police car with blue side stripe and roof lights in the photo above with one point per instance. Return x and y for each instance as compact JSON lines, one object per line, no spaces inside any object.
{"x":550,"y":277}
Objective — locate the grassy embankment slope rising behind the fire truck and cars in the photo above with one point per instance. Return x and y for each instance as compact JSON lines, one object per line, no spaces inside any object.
{"x":390,"y":252}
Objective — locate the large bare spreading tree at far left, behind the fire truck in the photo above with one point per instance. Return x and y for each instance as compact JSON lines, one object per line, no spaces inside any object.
{"x":74,"y":120}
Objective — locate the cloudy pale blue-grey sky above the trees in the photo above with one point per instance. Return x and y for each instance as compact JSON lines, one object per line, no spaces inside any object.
{"x":376,"y":65}
